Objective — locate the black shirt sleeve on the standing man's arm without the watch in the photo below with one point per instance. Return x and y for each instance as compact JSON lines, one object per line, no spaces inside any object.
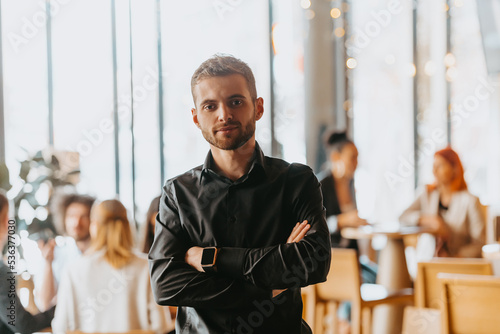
{"x":176,"y":283}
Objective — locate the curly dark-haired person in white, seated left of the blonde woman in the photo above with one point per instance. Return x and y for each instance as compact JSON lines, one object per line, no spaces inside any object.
{"x":73,"y":221}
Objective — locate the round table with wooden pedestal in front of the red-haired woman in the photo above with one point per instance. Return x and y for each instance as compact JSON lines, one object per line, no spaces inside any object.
{"x":392,"y":270}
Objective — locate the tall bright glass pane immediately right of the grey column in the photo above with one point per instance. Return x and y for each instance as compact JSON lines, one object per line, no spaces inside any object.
{"x":382,"y":81}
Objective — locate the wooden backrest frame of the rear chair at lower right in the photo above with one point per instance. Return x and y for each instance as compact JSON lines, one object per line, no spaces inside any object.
{"x":427,"y":293}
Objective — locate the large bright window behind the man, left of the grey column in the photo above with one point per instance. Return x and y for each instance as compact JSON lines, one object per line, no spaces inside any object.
{"x":69,"y":77}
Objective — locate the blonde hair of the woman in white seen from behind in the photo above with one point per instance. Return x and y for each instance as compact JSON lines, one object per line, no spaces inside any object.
{"x":113,"y":232}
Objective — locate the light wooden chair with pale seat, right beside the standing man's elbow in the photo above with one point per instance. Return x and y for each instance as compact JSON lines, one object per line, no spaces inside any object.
{"x":344,"y":284}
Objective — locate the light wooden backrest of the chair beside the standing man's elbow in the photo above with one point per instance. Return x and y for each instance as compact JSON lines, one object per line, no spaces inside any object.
{"x":343,"y":281}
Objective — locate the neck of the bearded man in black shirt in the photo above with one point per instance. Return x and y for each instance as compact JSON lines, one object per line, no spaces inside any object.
{"x":233,"y":164}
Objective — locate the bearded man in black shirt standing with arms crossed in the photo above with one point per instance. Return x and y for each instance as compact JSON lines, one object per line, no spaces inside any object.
{"x":237,"y":237}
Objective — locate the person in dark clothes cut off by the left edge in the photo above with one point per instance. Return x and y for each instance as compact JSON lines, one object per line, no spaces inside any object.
{"x":13,"y":317}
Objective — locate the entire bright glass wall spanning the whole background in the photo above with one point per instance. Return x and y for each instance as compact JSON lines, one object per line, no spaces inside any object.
{"x":132,"y":64}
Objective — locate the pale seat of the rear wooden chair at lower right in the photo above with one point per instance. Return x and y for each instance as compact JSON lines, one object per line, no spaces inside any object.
{"x":417,"y":320}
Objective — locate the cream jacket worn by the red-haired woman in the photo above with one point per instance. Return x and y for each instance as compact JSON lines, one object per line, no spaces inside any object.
{"x":465,"y":218}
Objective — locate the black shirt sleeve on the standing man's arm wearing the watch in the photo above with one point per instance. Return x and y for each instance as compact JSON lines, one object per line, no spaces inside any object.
{"x":290,"y":265}
